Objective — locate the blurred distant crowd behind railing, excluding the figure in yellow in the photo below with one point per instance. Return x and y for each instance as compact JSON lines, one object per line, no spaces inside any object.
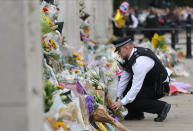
{"x":165,"y":17}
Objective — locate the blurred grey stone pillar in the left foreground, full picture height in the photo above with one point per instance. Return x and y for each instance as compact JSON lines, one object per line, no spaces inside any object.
{"x":21,"y":103}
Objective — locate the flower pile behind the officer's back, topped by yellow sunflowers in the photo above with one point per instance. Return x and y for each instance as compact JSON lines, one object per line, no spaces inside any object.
{"x":169,"y":57}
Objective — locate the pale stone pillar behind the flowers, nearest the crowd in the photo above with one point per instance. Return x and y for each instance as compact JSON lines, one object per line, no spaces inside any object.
{"x":100,"y":14}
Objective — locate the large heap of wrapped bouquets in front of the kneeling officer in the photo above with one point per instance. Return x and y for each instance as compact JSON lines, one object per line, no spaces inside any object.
{"x":78,"y":86}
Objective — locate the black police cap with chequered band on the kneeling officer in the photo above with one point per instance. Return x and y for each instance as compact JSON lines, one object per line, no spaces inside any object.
{"x":121,"y":42}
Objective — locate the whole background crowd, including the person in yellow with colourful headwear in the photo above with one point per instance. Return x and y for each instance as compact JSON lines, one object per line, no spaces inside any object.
{"x":149,"y":18}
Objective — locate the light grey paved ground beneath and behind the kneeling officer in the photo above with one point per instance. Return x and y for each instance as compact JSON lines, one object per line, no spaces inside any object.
{"x":180,"y":117}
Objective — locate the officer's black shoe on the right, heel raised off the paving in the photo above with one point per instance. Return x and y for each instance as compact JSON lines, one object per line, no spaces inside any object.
{"x":162,"y":116}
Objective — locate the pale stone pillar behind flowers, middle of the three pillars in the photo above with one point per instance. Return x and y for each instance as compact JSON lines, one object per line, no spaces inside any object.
{"x":69,"y":14}
